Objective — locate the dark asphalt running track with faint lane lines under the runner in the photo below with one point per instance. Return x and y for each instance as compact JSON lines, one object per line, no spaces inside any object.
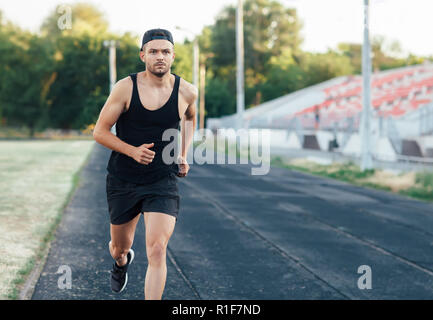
{"x":285,"y":235}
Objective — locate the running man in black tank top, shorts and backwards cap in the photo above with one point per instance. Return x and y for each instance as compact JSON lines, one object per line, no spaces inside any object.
{"x":143,"y":106}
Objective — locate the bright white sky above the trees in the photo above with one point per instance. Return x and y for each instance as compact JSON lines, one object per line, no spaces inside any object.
{"x":326,"y":22}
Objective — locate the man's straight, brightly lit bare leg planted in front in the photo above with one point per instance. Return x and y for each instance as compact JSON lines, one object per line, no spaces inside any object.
{"x":159,"y":228}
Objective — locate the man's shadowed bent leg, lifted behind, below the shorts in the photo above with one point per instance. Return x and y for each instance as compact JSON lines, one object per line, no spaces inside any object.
{"x":122,"y":237}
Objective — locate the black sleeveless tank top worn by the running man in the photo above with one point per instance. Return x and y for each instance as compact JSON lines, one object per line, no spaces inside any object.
{"x":139,"y":125}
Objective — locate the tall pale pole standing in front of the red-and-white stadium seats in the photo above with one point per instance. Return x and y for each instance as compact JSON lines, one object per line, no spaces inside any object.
{"x":366,"y":157}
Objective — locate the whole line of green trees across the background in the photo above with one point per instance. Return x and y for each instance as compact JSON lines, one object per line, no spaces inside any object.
{"x":59,"y":78}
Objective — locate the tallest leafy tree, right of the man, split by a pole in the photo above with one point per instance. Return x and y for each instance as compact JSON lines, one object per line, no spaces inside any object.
{"x":269,"y":29}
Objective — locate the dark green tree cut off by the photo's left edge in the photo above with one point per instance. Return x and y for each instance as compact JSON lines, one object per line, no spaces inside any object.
{"x":25,"y":76}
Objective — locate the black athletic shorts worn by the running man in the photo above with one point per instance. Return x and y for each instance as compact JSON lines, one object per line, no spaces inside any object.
{"x":127,"y":199}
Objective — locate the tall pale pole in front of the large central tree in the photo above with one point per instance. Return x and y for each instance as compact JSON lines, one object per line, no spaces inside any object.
{"x":240,"y":101}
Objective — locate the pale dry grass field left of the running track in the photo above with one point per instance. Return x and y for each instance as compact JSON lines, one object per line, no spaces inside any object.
{"x":37,"y":178}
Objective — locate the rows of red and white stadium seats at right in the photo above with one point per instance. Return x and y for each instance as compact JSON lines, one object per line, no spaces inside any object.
{"x":393,"y":93}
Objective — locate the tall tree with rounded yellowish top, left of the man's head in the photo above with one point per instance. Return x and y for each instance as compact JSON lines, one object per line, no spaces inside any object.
{"x":81,"y":63}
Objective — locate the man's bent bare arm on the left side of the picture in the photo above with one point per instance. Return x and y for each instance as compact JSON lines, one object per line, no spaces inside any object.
{"x":111,"y":111}
